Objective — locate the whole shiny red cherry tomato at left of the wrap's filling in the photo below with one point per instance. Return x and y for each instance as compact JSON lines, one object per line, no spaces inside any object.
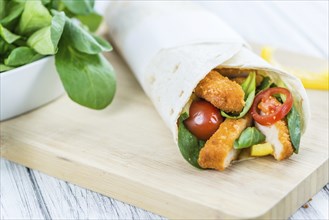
{"x":204,"y":119}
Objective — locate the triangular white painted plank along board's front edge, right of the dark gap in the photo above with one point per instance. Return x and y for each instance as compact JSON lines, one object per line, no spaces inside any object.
{"x":68,"y":201}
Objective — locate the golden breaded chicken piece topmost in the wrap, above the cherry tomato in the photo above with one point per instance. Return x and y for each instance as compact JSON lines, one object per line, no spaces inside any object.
{"x":221,"y":92}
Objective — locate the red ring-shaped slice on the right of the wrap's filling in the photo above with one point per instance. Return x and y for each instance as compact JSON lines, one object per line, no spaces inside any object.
{"x":277,"y":111}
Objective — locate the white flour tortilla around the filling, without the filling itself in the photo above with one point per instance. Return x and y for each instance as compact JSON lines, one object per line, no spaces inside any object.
{"x":171,"y":46}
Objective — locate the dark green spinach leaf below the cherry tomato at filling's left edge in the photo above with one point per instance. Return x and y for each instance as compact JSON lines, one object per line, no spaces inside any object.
{"x":188,"y":144}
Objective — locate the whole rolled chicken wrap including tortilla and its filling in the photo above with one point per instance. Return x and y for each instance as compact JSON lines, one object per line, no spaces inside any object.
{"x":220,"y":100}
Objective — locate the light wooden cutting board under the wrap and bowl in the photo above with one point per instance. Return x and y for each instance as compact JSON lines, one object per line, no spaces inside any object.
{"x":126,"y":152}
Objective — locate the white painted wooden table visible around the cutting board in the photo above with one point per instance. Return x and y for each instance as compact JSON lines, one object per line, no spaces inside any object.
{"x":300,"y":26}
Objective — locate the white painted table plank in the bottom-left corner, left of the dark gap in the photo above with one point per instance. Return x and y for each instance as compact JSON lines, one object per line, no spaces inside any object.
{"x":19,"y":198}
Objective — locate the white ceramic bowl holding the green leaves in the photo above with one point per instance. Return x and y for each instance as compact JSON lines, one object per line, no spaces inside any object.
{"x":28,"y":87}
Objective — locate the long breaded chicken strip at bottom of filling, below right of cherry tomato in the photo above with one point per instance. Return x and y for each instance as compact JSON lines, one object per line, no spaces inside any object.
{"x":218,"y":151}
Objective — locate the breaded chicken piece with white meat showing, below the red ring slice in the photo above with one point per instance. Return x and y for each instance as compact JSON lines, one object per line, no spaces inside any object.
{"x":278,"y":135}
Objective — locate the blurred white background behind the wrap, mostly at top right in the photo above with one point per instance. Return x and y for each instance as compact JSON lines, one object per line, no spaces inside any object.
{"x":299,"y":26}
